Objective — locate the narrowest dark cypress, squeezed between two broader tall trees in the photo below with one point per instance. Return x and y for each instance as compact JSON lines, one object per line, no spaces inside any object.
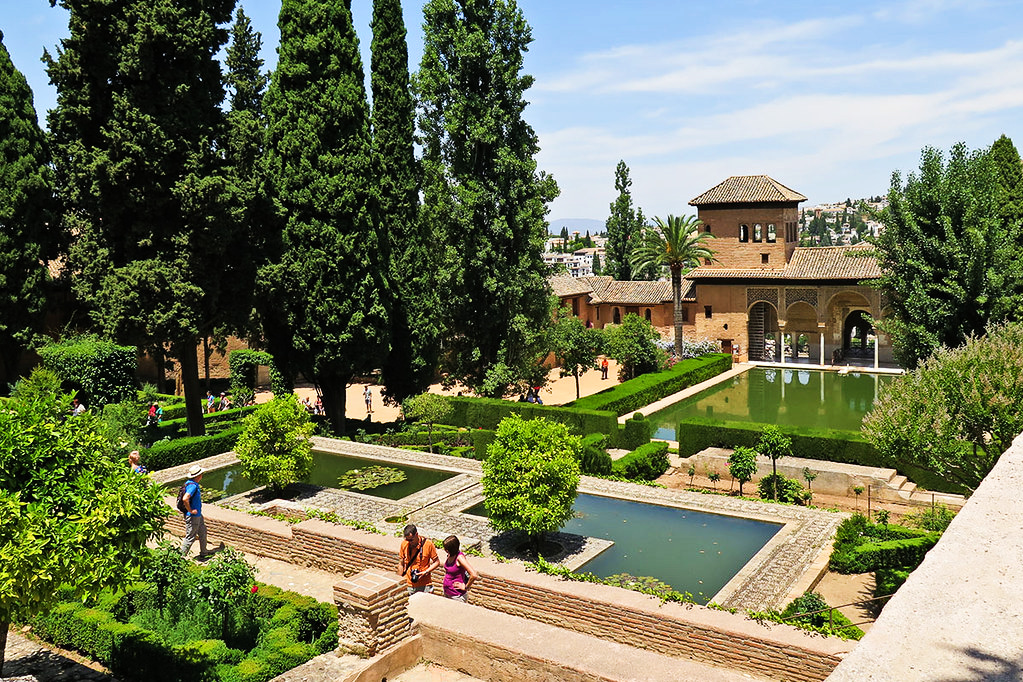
{"x":412,"y":250}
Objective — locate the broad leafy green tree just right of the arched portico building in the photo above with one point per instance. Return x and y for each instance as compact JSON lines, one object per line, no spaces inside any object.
{"x":946,"y":256}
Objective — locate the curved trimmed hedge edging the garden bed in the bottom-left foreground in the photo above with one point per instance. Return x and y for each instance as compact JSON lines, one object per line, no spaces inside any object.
{"x":297,"y":628}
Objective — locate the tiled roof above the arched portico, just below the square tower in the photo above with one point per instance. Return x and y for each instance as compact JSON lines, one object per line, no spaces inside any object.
{"x":808,"y":263}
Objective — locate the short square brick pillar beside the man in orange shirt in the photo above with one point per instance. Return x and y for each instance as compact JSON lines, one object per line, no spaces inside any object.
{"x":372,"y":612}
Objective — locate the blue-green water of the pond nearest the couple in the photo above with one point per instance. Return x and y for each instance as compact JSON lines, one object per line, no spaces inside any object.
{"x":693,"y":552}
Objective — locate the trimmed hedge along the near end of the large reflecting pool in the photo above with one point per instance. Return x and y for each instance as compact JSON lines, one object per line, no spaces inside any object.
{"x":829,"y":445}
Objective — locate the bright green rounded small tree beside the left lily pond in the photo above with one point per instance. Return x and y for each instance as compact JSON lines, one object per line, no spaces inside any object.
{"x":275,"y":448}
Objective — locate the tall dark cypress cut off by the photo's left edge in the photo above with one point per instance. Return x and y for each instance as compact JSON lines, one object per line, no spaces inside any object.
{"x":26,"y":213}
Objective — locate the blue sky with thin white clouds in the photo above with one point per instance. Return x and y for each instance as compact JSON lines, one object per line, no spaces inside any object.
{"x":827,"y":98}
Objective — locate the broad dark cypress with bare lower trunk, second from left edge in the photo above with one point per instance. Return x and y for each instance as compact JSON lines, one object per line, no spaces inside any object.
{"x":134,"y":137}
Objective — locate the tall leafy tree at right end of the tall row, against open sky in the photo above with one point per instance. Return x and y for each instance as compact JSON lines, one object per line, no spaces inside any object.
{"x":482,"y":190}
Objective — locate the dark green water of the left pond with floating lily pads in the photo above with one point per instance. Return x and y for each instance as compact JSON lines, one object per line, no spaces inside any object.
{"x":327,"y":470}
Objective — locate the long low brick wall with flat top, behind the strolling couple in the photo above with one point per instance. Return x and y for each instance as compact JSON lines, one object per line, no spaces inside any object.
{"x":612,"y":614}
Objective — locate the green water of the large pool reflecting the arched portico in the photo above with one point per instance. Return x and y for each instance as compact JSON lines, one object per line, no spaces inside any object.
{"x":786,"y":397}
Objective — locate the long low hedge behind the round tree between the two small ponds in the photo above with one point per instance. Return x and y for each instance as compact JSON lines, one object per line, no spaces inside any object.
{"x":487,"y":414}
